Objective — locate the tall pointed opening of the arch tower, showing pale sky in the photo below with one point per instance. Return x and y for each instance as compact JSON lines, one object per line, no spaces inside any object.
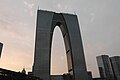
{"x":58,"y":54}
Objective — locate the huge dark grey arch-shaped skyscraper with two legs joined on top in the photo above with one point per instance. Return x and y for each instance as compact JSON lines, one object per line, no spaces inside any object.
{"x":68,"y":23}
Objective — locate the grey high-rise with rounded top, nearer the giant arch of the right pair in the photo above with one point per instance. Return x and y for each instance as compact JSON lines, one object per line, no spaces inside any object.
{"x":105,"y":67}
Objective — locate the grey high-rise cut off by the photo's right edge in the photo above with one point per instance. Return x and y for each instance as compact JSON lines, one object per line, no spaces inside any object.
{"x":115,"y":61}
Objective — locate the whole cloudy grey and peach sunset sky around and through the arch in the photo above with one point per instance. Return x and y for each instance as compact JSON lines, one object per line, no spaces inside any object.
{"x":99,"y":22}
